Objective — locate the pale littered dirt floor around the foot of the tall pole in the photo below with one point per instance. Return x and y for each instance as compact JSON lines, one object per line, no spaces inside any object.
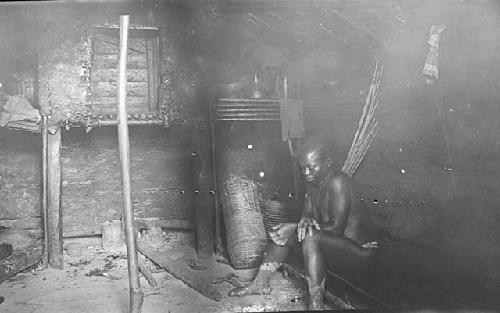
{"x":81,"y":287}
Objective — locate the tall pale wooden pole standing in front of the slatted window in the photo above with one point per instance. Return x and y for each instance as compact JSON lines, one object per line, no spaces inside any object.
{"x":136,"y":295}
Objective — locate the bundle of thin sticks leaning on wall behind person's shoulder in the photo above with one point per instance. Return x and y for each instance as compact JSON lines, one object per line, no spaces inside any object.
{"x":367,"y":127}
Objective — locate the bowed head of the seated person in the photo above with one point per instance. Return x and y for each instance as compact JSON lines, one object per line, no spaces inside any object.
{"x":315,"y":157}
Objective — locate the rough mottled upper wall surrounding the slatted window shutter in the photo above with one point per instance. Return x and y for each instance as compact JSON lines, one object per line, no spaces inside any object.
{"x":65,"y":57}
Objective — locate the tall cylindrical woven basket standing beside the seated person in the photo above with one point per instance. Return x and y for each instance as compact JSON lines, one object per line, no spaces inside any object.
{"x":246,"y":235}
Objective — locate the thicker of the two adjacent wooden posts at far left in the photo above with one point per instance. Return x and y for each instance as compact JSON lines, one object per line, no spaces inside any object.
{"x":54,"y":214}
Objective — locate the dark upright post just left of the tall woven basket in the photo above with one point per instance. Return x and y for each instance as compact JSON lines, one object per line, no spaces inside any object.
{"x":204,"y":202}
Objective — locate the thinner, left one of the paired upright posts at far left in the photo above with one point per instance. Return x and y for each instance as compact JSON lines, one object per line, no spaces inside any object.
{"x":44,"y":195}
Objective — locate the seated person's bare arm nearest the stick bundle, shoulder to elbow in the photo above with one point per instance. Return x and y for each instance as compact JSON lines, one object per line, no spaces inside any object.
{"x":339,"y":191}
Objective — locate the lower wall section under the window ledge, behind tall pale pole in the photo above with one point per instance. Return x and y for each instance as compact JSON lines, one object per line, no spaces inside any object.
{"x":161,"y":176}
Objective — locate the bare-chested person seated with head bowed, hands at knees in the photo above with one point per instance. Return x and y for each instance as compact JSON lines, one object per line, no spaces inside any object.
{"x":331,"y":232}
